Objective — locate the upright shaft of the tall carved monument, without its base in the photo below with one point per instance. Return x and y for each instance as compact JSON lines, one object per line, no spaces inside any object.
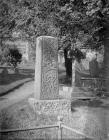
{"x":46,"y":69}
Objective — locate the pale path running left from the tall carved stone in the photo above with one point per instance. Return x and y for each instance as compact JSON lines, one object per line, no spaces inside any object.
{"x":17,"y":95}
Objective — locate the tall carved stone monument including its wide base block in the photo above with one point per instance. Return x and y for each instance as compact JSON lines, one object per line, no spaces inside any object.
{"x":46,"y":97}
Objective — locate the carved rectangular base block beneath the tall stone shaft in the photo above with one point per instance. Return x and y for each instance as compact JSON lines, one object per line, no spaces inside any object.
{"x":59,"y":107}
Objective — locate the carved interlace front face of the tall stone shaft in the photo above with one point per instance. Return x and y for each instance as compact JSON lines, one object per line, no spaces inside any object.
{"x":49,"y":68}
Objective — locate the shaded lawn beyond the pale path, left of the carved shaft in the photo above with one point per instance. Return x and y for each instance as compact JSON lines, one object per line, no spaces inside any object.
{"x":9,"y":80}
